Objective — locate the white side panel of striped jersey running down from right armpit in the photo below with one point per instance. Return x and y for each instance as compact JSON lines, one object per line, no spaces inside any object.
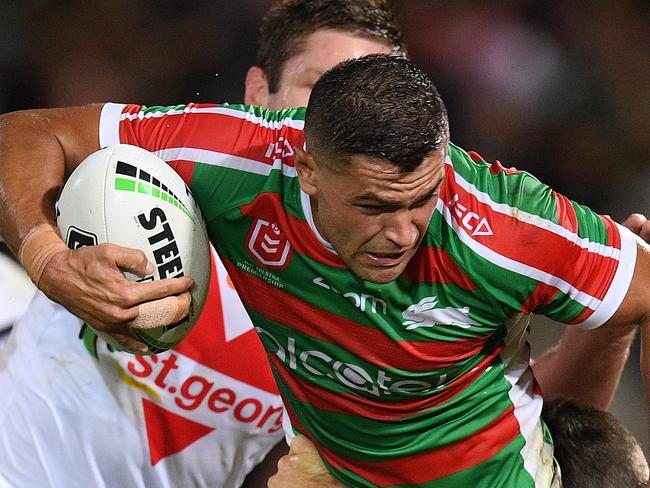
{"x":536,"y":454}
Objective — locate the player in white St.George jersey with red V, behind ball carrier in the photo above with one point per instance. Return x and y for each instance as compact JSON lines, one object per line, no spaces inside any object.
{"x":116,"y":414}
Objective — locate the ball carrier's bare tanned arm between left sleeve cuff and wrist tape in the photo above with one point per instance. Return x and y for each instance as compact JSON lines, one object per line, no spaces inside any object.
{"x":37,"y":147}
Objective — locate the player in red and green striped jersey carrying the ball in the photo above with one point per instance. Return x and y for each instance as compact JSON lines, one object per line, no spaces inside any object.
{"x":451,"y":250}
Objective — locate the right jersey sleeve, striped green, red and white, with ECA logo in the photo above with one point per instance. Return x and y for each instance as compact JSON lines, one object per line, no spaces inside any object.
{"x":536,"y":250}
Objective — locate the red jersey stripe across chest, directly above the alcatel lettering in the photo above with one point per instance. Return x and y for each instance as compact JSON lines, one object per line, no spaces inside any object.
{"x":361,"y":340}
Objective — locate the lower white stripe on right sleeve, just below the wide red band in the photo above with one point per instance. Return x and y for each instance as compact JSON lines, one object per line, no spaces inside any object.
{"x":515,"y":266}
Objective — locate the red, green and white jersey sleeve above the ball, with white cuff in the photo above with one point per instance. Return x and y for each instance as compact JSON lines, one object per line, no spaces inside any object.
{"x":221,"y":151}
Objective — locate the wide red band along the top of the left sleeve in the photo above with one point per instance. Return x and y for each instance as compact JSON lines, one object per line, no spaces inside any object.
{"x":208,"y":131}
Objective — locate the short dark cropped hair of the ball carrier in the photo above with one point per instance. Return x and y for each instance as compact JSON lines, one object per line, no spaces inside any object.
{"x":377,"y":105}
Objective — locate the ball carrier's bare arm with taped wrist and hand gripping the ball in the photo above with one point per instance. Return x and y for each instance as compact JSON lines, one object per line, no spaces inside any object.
{"x":38,"y":148}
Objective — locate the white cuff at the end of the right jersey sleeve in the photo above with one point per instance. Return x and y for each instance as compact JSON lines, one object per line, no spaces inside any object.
{"x":620,"y":284}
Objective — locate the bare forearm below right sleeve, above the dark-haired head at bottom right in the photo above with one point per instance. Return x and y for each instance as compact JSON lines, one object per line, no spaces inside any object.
{"x":586,"y":365}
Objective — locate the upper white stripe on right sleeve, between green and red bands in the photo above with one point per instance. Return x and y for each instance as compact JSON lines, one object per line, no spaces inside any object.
{"x":537,"y":221}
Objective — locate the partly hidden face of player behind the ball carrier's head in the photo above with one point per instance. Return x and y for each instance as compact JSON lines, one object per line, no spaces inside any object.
{"x":321,"y":51}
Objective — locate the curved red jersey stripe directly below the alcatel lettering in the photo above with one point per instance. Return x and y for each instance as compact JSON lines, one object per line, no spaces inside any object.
{"x":380,"y":410}
